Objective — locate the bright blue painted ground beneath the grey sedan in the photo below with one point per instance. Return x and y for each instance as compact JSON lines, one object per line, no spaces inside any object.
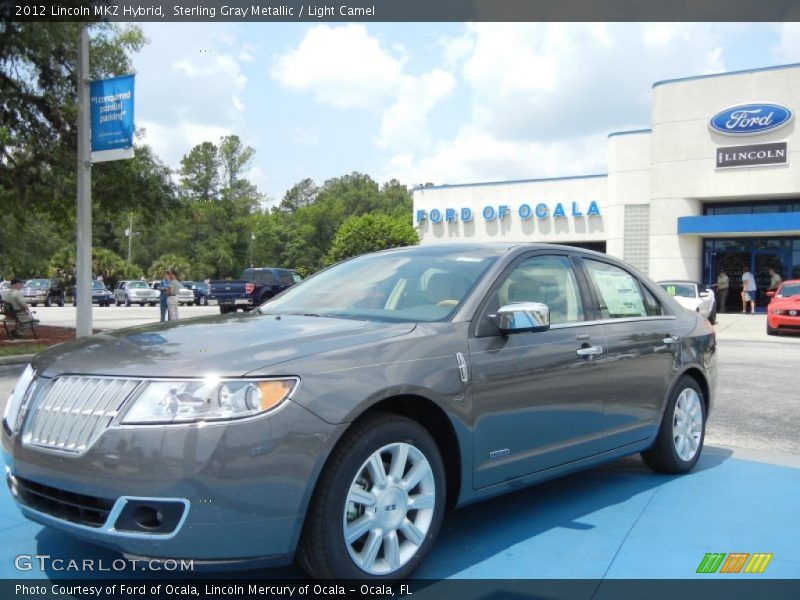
{"x":612,"y":522}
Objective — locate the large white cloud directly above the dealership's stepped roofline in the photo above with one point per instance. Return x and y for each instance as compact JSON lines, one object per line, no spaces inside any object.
{"x":544,"y":97}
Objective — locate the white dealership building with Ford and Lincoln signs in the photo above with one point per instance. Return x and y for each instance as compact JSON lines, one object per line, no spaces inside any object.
{"x":713,"y":184}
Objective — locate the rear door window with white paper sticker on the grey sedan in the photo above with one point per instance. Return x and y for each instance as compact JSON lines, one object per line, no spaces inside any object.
{"x":618,"y":292}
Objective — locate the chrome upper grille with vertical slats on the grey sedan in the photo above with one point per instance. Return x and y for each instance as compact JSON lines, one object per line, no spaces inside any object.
{"x":73,"y":412}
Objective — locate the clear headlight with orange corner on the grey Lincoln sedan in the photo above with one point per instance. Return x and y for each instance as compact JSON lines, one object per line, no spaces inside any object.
{"x":209,"y":399}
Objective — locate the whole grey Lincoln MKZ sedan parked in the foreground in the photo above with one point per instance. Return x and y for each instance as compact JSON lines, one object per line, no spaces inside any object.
{"x":345,"y":415}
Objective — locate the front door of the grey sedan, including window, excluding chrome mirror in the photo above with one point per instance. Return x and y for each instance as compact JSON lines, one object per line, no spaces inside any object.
{"x":537,"y":396}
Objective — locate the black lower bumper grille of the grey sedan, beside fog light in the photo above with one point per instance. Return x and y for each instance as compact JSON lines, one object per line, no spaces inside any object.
{"x":76,"y":508}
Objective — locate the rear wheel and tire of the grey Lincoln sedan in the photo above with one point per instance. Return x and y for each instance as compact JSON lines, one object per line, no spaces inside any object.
{"x":668,"y":454}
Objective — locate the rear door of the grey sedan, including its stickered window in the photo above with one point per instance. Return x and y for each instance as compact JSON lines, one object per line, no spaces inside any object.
{"x":643,"y":346}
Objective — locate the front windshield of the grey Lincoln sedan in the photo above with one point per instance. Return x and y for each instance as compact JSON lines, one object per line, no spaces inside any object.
{"x":405,"y":286}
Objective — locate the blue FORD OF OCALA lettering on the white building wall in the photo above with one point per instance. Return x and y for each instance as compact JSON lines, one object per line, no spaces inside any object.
{"x":525,"y":211}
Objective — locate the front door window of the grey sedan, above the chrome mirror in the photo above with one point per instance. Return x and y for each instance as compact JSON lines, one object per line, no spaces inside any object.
{"x":546,"y":279}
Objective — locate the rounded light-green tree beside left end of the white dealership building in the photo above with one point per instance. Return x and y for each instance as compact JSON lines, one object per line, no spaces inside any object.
{"x":369,"y":233}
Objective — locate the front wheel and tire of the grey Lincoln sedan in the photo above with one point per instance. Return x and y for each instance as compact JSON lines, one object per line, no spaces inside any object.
{"x":324,"y":551}
